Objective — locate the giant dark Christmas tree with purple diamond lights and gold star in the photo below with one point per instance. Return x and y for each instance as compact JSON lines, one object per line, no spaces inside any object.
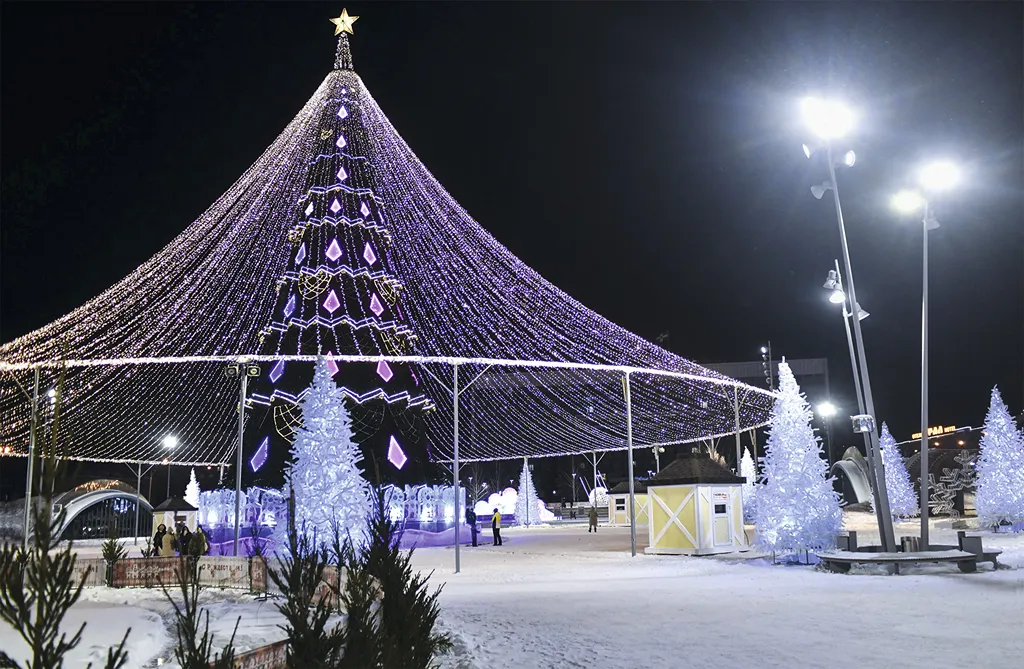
{"x":338,"y":295}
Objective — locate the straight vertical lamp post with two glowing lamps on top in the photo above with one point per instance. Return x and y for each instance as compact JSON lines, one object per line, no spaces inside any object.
{"x":934,"y":177}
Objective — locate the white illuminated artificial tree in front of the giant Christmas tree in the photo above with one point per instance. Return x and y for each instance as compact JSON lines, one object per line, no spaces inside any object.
{"x":325,"y":473}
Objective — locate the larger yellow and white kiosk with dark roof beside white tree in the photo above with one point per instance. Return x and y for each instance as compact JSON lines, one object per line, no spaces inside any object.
{"x":696,"y":509}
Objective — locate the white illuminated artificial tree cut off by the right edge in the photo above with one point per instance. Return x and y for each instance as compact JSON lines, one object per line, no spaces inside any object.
{"x":1000,"y":486}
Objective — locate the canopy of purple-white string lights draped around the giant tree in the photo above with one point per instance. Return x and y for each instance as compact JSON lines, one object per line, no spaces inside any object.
{"x":149,"y":353}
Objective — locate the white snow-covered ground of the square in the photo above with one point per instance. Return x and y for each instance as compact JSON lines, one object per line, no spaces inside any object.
{"x":562,"y":598}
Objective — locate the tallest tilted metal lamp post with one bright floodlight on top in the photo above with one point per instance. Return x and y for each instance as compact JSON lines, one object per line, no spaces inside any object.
{"x":830,"y":120}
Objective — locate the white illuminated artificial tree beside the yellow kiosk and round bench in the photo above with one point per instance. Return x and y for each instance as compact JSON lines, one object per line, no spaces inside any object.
{"x":797,"y":509}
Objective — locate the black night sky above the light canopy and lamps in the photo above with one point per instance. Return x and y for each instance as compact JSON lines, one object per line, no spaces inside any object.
{"x":646,"y":158}
